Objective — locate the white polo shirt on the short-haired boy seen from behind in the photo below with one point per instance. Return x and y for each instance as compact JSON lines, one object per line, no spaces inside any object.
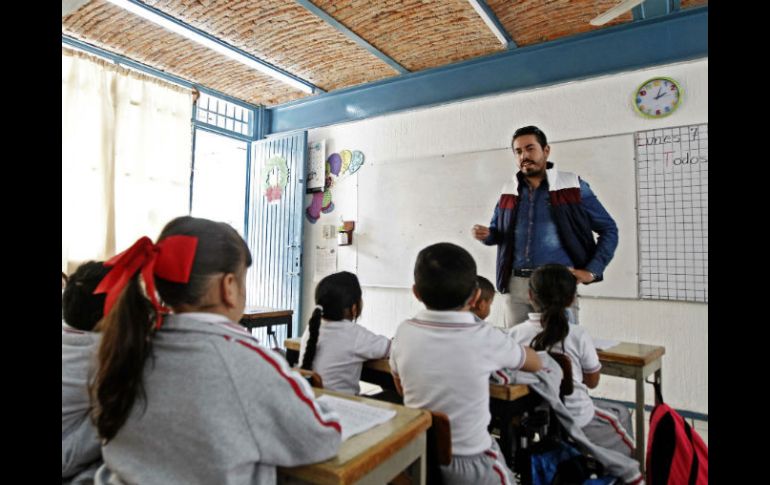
{"x":444,"y":359}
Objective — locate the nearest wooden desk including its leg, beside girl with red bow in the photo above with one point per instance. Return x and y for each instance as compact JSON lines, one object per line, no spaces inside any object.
{"x":375,"y":456}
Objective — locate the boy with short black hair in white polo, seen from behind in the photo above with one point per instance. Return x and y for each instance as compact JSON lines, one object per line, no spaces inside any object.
{"x":441,"y":360}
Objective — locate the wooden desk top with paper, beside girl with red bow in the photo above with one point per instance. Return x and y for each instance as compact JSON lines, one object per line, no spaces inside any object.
{"x":363,"y":452}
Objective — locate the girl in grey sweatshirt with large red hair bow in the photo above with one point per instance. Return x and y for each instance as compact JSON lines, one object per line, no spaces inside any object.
{"x":183,"y":394}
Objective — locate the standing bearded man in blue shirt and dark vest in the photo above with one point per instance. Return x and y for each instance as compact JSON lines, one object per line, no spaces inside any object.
{"x":545,"y":216}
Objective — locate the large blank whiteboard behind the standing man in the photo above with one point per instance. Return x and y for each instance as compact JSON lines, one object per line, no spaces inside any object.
{"x":406,"y":205}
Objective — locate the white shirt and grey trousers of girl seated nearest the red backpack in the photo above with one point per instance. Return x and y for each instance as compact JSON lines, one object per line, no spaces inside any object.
{"x":605,"y":428}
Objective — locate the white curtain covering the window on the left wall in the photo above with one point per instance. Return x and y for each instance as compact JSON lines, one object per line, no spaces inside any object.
{"x":126,"y":157}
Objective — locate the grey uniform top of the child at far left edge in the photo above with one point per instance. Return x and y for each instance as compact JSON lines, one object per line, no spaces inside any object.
{"x":81,"y":449}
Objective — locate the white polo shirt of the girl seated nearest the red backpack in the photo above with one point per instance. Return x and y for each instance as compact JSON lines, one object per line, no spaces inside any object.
{"x":581,"y":351}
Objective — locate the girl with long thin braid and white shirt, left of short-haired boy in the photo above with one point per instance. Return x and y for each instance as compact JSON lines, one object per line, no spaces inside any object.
{"x":333,"y":345}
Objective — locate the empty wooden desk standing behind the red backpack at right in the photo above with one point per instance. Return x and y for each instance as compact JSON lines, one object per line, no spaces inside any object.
{"x":634,"y":361}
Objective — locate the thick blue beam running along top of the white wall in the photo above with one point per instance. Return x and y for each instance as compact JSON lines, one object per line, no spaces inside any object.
{"x":675,"y":37}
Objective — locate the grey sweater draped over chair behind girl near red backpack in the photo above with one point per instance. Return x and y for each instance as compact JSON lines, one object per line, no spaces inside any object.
{"x":546,"y":382}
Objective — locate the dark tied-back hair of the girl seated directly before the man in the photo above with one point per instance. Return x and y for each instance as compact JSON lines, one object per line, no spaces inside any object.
{"x":553,"y":289}
